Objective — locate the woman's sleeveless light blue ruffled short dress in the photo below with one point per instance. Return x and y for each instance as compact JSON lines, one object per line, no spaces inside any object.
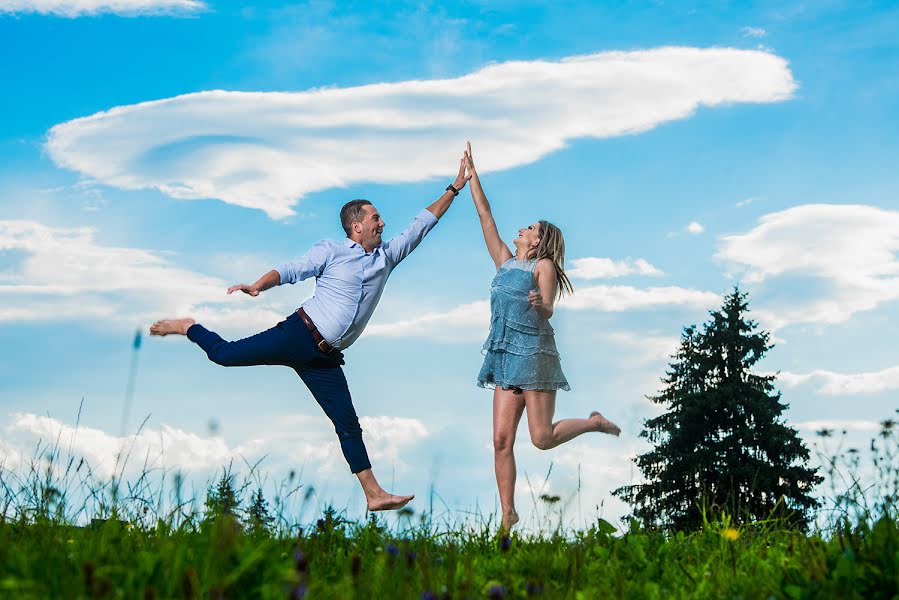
{"x":520,"y":351}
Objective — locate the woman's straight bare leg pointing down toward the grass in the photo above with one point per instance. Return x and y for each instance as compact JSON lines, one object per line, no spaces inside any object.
{"x":507,"y":410}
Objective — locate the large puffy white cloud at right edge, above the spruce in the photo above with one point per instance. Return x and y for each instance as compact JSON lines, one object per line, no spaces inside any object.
{"x":842,"y":259}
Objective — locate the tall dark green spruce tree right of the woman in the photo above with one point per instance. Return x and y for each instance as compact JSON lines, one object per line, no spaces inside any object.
{"x":722,"y":445}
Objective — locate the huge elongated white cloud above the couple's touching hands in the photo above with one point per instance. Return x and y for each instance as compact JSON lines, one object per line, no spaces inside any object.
{"x":267,"y":150}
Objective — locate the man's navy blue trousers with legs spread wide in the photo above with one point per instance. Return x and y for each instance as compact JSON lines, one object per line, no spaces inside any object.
{"x":289,"y":343}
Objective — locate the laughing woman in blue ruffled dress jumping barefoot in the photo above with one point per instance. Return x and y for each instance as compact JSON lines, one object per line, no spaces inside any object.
{"x":521,"y":363}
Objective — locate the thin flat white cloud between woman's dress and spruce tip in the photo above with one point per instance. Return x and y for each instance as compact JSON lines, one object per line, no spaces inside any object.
{"x":620,"y":298}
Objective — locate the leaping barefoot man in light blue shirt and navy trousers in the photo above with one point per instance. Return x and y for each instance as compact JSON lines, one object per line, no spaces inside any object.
{"x":349,"y":277}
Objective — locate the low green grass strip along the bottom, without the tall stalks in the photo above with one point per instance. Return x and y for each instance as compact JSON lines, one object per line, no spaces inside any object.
{"x":333,"y":559}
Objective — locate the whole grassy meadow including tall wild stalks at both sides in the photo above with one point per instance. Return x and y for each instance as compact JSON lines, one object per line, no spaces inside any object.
{"x":64,"y":534}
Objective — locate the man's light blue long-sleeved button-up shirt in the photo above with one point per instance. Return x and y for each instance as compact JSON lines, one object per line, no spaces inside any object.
{"x":349,"y":280}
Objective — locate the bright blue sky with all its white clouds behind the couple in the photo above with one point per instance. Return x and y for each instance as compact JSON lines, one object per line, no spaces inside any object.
{"x":156,"y":151}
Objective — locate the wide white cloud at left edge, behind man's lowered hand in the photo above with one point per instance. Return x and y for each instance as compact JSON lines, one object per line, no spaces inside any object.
{"x":55,"y":274}
